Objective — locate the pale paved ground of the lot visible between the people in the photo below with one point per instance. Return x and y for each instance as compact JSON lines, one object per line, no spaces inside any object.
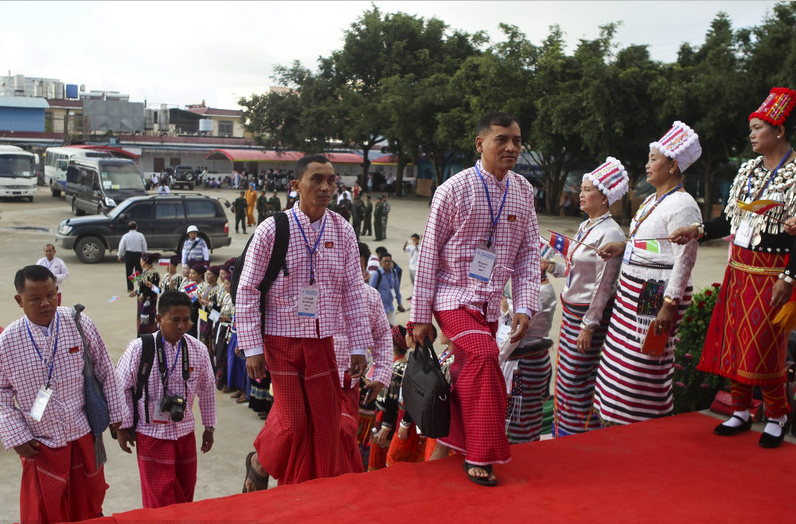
{"x":26,"y":227}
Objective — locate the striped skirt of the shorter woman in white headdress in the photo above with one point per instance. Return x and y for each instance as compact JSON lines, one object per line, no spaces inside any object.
{"x":576,"y":372}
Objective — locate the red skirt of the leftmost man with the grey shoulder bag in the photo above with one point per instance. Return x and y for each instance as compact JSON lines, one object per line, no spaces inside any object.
{"x":62,"y":484}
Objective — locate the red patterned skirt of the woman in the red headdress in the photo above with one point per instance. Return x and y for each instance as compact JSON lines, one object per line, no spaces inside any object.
{"x":742,"y":342}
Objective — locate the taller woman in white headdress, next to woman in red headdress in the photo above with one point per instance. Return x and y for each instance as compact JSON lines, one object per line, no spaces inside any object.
{"x":634,"y":379}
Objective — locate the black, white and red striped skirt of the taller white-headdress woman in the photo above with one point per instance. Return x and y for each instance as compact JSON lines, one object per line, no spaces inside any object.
{"x":632,"y":386}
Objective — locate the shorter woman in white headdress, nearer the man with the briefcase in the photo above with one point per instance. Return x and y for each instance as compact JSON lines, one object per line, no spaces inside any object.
{"x":587,"y":299}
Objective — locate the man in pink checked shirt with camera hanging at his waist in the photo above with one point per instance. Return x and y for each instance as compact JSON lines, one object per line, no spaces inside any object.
{"x":165,"y":440}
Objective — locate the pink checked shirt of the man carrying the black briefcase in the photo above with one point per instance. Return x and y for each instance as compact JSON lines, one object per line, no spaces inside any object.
{"x":459,"y":222}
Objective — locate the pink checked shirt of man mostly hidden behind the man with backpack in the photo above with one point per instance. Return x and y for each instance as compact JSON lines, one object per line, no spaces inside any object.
{"x":380,"y":351}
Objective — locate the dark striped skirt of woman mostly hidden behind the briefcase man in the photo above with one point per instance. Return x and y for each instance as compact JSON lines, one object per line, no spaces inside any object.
{"x":529,"y":377}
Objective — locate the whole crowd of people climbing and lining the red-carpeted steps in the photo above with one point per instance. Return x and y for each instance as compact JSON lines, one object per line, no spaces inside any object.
{"x":323,"y":361}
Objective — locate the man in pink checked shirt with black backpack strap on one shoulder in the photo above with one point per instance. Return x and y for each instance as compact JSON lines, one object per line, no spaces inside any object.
{"x":300,"y":440}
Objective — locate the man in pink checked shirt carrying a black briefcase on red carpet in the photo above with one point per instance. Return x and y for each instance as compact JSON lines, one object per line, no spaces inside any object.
{"x":481,"y":231}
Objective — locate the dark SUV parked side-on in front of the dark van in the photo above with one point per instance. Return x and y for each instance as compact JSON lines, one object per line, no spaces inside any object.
{"x":163,"y":220}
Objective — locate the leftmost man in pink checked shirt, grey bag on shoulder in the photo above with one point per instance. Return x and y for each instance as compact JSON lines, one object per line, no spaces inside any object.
{"x":42,"y":403}
